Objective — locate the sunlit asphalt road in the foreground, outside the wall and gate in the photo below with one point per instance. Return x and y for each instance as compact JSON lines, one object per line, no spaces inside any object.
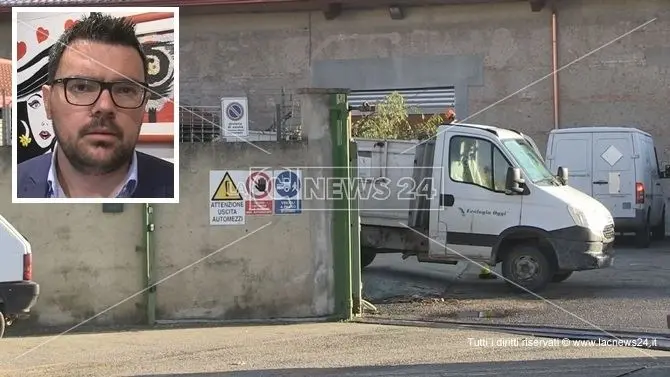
{"x":322,"y":349}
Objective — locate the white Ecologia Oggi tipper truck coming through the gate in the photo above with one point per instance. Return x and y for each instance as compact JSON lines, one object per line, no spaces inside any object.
{"x":479,"y":194}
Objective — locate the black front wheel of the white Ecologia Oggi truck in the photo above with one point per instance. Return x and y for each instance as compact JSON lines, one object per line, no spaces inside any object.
{"x":527,"y":266}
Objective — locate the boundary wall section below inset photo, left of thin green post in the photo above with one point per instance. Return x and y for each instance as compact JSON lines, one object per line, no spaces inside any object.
{"x":84,"y":260}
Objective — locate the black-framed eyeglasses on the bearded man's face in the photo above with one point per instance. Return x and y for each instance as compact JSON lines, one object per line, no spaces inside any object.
{"x":85,"y":92}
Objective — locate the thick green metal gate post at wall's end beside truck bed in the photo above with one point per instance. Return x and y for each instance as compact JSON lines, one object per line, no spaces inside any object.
{"x":340,"y":133}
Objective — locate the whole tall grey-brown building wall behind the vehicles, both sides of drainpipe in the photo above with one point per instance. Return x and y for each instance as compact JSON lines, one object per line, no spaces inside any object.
{"x":488,"y":51}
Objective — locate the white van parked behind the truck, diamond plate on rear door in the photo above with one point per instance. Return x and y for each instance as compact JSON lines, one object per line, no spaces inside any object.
{"x":619,"y":167}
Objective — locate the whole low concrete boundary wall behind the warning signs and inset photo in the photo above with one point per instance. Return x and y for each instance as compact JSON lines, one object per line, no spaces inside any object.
{"x":88,"y":261}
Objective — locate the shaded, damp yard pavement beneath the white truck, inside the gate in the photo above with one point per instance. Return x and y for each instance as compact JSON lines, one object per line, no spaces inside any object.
{"x":632,"y":295}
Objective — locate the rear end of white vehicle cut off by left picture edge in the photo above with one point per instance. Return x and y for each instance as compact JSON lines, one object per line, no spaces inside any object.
{"x":18,"y":293}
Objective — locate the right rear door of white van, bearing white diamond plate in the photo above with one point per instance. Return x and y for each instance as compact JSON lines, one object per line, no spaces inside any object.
{"x":614,"y":172}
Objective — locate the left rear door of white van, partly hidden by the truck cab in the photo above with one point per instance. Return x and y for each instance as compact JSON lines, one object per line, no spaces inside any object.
{"x":573,"y":151}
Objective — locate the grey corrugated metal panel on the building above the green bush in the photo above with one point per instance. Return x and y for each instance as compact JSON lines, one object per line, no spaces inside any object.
{"x":424,"y":99}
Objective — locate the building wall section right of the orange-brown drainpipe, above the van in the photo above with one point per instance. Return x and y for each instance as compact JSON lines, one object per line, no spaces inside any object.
{"x":625,"y":82}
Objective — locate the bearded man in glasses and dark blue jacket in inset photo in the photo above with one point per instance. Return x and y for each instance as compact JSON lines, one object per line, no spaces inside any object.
{"x":96,"y":97}
